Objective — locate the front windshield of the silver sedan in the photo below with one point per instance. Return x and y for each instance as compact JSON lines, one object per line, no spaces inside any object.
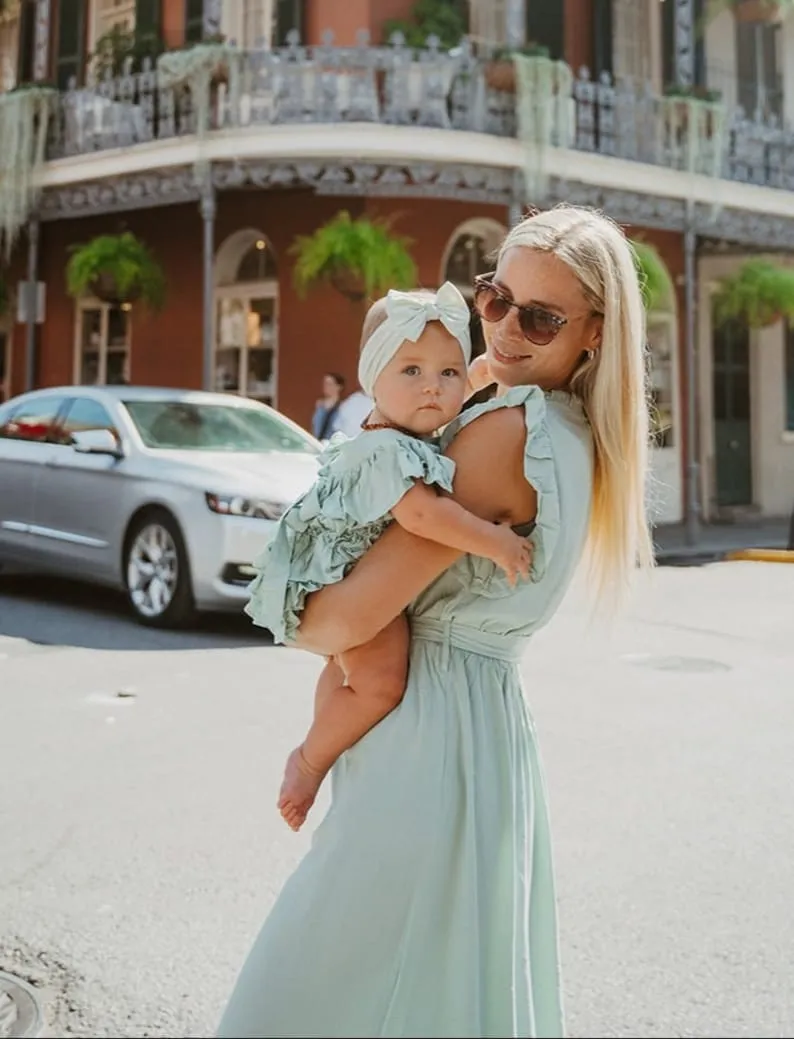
{"x":192,"y":427}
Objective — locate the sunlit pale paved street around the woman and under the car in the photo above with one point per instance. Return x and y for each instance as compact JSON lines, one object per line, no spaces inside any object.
{"x":141,"y":848}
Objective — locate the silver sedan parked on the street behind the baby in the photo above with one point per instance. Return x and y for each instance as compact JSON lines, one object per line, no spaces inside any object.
{"x":167,"y":494}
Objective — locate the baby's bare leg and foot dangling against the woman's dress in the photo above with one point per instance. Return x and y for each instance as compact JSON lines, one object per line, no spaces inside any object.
{"x":345,"y":713}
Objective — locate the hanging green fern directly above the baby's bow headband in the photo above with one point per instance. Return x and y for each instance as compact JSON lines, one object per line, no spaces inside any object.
{"x":359,"y":258}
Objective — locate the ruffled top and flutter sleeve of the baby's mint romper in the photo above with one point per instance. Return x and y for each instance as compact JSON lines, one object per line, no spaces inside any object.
{"x":363,"y":479}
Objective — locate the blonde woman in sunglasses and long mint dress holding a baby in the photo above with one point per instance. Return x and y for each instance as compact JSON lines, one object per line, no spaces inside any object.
{"x":427,"y":904}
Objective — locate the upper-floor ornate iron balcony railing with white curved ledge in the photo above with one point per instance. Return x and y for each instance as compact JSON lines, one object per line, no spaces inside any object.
{"x":404,"y":105}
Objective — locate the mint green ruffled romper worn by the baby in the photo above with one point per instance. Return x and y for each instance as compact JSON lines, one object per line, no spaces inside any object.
{"x":330,"y":528}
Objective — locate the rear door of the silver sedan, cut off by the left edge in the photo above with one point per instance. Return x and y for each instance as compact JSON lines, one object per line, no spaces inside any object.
{"x":25,"y":429}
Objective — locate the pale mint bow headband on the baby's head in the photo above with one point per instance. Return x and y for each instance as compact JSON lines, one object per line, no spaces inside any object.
{"x":407,"y":318}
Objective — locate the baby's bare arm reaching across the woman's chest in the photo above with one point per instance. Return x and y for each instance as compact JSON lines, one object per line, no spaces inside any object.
{"x":425,"y":513}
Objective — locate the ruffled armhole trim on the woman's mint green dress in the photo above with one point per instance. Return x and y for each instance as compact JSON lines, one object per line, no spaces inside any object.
{"x":540,"y":471}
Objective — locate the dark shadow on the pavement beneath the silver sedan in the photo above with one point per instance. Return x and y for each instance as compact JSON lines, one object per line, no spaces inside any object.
{"x":52,"y":611}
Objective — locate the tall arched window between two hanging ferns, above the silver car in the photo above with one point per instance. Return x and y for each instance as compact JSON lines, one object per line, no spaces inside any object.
{"x":247,"y":307}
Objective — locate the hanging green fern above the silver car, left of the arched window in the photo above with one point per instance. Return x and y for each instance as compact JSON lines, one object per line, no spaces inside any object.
{"x":117,"y":270}
